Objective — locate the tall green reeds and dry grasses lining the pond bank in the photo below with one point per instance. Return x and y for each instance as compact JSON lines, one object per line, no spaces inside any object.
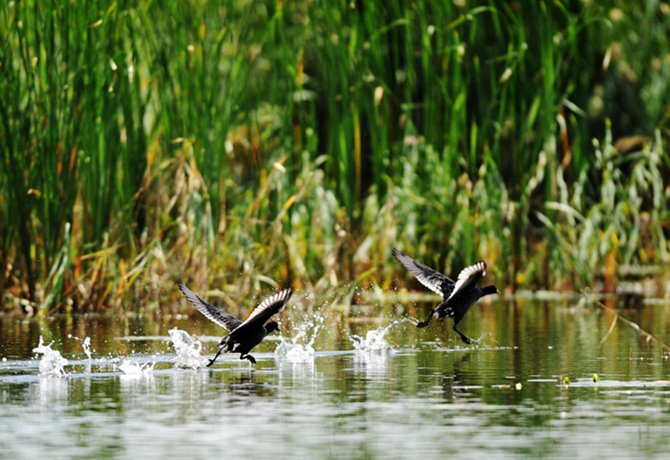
{"x":268,"y":142}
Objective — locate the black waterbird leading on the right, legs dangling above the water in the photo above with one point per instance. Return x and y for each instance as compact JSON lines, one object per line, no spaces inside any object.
{"x":459,"y":296}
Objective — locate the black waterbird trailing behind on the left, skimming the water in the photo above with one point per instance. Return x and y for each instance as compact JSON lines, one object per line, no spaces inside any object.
{"x":244,"y":335}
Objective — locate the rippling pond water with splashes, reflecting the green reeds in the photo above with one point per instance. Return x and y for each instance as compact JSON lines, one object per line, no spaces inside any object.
{"x":333,"y":387}
